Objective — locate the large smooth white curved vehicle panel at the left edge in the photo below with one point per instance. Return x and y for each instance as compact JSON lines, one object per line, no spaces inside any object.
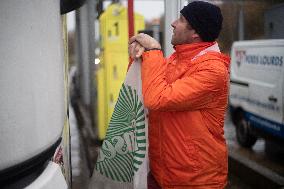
{"x":31,"y":79}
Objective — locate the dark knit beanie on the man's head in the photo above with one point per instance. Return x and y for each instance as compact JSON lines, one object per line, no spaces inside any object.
{"x":205,"y":18}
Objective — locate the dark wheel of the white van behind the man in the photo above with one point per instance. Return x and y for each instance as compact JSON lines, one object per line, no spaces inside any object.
{"x":244,"y":136}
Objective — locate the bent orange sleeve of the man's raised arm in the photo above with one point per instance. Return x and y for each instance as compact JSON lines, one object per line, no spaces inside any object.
{"x":188,"y":93}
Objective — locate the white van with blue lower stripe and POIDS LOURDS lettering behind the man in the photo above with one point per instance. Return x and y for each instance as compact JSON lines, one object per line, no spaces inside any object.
{"x":256,"y":91}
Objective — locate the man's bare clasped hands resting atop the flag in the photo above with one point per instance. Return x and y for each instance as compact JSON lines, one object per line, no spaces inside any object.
{"x":140,"y":43}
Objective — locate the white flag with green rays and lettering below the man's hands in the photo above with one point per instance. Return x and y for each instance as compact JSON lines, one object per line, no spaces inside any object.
{"x":123,"y":157}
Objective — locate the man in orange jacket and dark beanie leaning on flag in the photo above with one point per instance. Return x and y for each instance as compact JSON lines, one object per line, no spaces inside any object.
{"x":186,"y":95}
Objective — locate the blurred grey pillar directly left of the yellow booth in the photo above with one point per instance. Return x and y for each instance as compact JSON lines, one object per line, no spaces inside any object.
{"x":85,"y":49}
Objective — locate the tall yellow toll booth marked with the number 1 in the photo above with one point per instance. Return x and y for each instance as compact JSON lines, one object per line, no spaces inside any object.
{"x":114,"y":60}
